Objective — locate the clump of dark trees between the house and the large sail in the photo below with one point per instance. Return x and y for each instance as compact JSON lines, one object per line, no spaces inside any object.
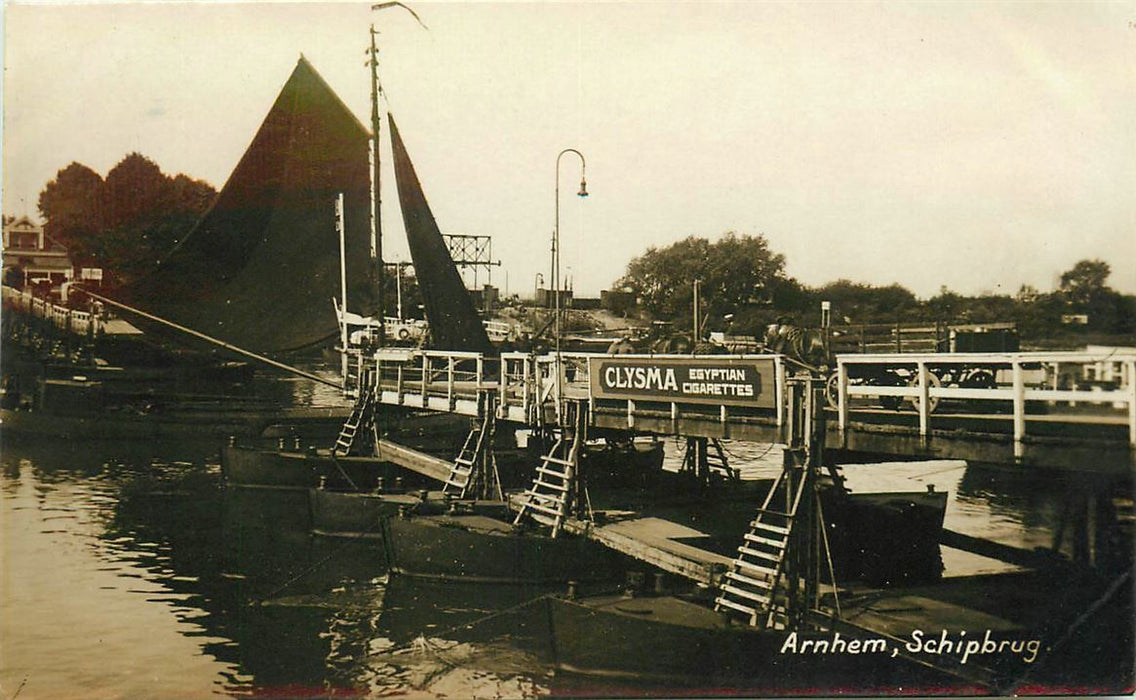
{"x":126,"y":223}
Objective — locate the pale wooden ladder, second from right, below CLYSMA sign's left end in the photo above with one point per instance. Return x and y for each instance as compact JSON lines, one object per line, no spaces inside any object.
{"x":549,"y":499}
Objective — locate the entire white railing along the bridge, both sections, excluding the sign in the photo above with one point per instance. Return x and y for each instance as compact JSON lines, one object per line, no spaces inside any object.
{"x":527,"y":385}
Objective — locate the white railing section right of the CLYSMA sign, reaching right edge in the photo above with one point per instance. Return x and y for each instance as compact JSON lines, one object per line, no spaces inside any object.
{"x":1017,"y":378}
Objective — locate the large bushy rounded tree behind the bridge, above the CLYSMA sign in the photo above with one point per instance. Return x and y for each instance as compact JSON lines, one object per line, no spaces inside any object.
{"x":733,"y":272}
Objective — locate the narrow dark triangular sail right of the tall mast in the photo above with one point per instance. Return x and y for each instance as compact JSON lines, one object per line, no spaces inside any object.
{"x":454,"y":321}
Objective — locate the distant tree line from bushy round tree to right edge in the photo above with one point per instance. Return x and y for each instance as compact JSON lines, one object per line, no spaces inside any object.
{"x":742,"y":278}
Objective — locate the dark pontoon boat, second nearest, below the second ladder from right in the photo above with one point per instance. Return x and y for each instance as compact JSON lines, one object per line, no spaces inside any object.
{"x":478,"y":548}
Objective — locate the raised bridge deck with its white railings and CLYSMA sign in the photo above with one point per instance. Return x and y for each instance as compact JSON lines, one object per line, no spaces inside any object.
{"x":1030,"y":409}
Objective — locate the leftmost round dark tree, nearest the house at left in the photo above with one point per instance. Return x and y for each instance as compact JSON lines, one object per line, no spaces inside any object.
{"x":72,"y":206}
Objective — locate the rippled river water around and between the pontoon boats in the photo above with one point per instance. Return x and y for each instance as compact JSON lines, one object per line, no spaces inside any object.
{"x":130,"y":571}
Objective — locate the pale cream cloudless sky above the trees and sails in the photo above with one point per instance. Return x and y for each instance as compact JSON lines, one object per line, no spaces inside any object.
{"x":974,"y":146}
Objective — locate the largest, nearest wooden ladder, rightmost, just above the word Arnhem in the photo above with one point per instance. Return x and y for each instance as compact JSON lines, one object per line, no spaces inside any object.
{"x":753,"y":588}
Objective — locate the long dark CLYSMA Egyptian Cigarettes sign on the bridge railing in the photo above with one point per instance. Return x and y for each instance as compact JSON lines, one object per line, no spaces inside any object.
{"x":732,"y":382}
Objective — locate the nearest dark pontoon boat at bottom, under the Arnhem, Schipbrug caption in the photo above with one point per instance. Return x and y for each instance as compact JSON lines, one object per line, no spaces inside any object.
{"x":680,"y":641}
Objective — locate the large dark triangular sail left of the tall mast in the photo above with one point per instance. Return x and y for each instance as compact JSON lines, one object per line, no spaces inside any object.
{"x":262,"y":268}
